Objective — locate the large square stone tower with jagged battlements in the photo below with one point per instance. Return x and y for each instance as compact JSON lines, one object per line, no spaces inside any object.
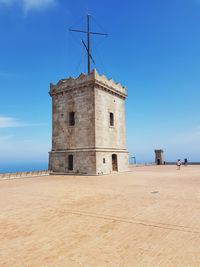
{"x":88,"y":135}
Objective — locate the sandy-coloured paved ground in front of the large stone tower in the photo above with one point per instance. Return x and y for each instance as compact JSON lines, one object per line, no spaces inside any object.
{"x":147,"y":217}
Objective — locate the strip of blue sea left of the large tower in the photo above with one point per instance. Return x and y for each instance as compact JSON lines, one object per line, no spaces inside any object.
{"x":22,"y":167}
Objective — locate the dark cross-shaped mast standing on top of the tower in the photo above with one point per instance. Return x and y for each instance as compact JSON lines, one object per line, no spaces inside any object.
{"x":88,"y":40}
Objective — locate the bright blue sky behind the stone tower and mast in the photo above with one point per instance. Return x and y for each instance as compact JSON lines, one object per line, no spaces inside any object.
{"x":153,"y":48}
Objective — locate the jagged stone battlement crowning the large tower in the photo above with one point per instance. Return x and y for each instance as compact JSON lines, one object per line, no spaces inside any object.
{"x":84,"y":80}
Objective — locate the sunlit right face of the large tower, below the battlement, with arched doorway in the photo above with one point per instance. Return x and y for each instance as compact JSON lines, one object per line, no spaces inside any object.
{"x":110,"y":139}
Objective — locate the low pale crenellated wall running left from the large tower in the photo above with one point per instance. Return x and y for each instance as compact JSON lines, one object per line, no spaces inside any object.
{"x":17,"y":175}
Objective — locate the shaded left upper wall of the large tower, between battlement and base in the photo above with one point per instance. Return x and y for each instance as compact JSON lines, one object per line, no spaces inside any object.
{"x":81,"y":135}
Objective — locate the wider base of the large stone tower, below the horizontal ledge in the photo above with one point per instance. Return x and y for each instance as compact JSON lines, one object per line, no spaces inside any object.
{"x":88,"y":162}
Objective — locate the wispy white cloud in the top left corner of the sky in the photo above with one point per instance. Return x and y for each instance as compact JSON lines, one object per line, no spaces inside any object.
{"x":28,"y":5}
